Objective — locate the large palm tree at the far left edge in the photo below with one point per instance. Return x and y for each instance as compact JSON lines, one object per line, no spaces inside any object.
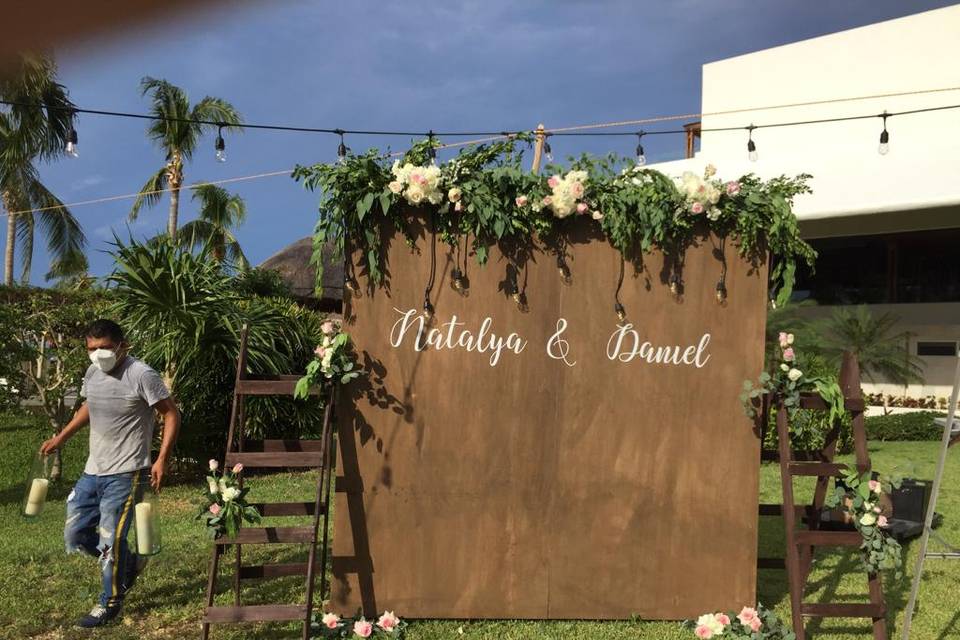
{"x":36,"y":127}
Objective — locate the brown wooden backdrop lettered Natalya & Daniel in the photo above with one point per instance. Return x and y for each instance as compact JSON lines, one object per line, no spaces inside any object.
{"x":535,"y":489}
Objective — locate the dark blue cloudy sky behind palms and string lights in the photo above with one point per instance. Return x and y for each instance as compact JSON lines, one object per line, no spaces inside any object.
{"x":413,"y":65}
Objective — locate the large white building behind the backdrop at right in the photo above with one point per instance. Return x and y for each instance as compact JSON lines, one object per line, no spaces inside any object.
{"x":887,"y":226}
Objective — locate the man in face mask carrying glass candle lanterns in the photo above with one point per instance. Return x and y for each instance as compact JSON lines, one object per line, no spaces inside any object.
{"x":122,"y":394}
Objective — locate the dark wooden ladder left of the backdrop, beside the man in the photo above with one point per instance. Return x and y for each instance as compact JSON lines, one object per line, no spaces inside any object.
{"x":305,"y":454}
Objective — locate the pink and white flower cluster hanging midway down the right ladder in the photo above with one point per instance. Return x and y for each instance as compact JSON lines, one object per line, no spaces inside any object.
{"x":859,"y":496}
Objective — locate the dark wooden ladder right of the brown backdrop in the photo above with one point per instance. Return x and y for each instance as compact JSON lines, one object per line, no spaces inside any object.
{"x":801,"y":543}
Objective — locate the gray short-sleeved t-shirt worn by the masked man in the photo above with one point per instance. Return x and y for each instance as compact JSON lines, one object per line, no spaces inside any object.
{"x":121,"y":417}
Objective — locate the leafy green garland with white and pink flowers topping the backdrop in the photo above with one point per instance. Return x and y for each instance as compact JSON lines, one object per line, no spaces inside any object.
{"x":485,"y":194}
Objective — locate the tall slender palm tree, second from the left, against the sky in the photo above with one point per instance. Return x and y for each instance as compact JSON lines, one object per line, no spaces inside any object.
{"x":176,"y":131}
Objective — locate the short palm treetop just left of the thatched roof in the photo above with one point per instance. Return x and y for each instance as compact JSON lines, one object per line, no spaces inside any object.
{"x":219,"y":212}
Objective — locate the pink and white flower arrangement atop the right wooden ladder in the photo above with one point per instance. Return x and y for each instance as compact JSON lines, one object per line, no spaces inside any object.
{"x":787,"y":382}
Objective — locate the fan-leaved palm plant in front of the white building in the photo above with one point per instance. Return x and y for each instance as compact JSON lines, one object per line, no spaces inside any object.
{"x":881,"y":351}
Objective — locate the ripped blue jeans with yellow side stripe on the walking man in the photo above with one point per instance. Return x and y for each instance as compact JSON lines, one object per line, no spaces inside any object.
{"x":99,"y":513}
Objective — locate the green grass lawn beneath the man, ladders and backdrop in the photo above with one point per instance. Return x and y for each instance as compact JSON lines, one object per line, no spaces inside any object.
{"x":44,"y":591}
